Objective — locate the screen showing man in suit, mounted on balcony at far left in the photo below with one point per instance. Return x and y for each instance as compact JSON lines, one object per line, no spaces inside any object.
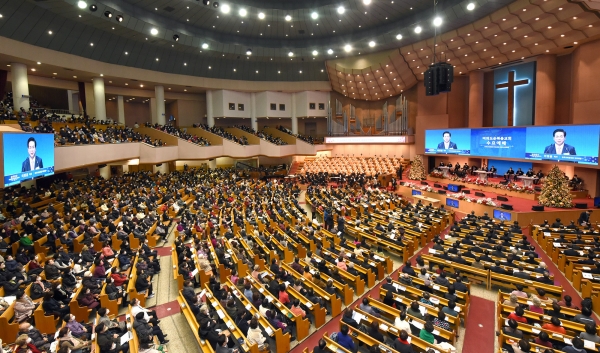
{"x":39,"y":161}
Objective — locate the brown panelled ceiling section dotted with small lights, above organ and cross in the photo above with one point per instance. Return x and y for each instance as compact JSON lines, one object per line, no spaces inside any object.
{"x":521,"y":31}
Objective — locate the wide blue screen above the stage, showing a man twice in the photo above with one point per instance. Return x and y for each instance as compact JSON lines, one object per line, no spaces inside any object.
{"x":569,"y":143}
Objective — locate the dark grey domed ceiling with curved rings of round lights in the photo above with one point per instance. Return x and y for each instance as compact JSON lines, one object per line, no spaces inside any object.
{"x":61,"y":25}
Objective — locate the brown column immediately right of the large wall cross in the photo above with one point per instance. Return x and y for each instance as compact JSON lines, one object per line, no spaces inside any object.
{"x":545,"y":90}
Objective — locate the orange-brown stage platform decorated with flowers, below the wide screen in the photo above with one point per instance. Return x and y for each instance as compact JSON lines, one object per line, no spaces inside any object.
{"x":522,"y":205}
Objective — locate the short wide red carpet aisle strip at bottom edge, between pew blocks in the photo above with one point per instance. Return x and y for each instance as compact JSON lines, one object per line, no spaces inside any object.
{"x":480,"y":332}
